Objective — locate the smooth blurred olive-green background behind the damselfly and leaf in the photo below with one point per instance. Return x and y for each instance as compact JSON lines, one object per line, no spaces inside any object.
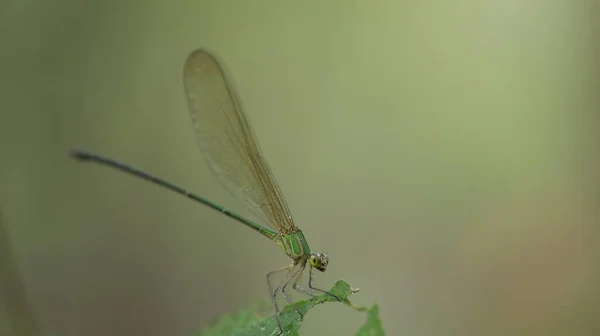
{"x":444,"y":154}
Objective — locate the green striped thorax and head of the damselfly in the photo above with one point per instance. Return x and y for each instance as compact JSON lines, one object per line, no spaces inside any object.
{"x":295,"y":246}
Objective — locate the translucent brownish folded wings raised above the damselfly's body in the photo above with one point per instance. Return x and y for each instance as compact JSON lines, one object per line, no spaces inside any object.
{"x":228,"y":142}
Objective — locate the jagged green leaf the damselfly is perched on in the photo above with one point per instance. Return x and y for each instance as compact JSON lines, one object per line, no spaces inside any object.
{"x":248,"y":322}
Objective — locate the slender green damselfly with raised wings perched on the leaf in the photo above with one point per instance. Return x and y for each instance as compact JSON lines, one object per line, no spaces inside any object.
{"x":231,"y":151}
